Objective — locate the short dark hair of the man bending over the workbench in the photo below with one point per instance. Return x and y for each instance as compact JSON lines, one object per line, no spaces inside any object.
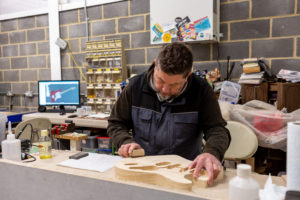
{"x":176,"y":58}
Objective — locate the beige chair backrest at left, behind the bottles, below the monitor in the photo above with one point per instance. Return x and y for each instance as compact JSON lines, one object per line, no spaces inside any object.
{"x":37,"y":124}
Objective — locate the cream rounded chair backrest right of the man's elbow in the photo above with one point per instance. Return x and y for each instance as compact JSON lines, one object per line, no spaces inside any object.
{"x":244,"y":142}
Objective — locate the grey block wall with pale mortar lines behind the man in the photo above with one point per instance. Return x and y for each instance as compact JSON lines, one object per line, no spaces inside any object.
{"x":251,"y":28}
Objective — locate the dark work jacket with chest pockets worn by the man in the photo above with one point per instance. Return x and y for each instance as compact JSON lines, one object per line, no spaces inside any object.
{"x":169,"y":128}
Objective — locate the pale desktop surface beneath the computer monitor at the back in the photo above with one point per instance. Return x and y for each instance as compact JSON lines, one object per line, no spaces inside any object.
{"x":56,"y":118}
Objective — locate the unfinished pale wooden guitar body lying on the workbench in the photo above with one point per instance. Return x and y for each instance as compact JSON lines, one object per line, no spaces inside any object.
{"x":166,"y":170}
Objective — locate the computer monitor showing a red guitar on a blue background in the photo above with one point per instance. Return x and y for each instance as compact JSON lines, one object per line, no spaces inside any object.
{"x":58,"y":92}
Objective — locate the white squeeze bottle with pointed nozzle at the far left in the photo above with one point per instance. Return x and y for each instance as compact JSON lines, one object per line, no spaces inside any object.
{"x":11,"y":147}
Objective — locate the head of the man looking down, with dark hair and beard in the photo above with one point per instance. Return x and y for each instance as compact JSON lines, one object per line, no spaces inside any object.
{"x":172,"y":69}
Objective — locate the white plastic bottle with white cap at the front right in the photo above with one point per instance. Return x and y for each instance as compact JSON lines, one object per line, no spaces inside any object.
{"x":243,"y":186}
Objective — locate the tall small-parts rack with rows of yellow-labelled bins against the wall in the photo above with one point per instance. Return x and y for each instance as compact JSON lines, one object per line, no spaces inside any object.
{"x":105,"y":70}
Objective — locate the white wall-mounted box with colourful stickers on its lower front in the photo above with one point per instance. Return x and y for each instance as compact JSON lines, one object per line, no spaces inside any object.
{"x":187,"y":21}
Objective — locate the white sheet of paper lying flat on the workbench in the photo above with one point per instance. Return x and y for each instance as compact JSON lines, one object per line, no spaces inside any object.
{"x":93,"y":162}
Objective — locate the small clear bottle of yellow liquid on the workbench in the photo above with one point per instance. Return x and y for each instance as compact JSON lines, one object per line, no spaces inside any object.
{"x":45,"y":145}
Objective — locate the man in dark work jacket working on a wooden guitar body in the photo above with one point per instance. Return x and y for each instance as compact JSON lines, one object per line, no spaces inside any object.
{"x":168,"y":109}
